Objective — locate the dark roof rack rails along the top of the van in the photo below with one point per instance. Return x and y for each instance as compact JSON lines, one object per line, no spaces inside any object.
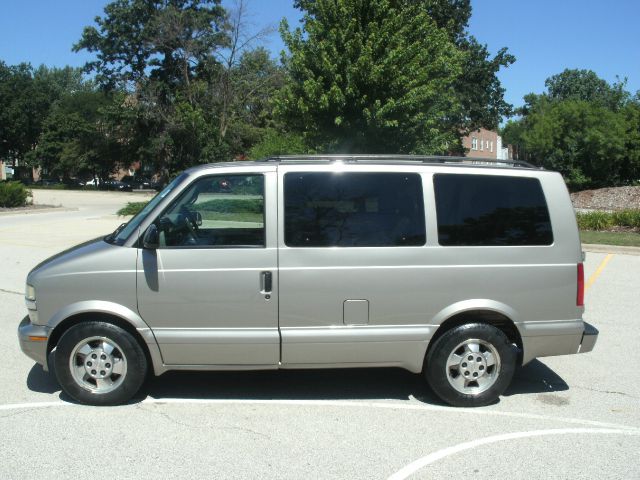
{"x":430,"y":159}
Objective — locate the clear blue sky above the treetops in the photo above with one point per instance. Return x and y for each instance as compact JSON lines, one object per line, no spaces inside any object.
{"x":545,"y":36}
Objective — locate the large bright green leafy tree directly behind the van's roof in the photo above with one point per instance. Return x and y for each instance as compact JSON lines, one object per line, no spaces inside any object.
{"x":388,"y":76}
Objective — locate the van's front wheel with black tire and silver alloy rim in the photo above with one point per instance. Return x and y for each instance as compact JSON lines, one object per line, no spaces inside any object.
{"x":119,"y":361}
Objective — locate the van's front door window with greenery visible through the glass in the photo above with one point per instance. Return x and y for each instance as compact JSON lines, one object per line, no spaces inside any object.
{"x":216,"y":211}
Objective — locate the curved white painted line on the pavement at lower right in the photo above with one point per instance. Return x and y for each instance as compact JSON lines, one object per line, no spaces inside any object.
{"x":413,"y":467}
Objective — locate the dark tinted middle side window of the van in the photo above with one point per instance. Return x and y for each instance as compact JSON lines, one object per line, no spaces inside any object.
{"x":324,"y":209}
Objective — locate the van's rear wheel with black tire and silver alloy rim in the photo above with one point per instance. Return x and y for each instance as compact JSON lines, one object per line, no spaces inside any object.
{"x":495,"y":373}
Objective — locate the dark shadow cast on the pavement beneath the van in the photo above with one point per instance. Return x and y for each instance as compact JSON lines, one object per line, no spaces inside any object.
{"x":338,"y":384}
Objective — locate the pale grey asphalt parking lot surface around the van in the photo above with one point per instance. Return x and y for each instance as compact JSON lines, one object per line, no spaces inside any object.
{"x":563,"y":417}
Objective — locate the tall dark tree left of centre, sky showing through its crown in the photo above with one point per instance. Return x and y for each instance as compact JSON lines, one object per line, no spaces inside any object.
{"x":152,"y":50}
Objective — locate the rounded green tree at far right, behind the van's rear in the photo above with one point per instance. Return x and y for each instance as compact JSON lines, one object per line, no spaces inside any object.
{"x":581,"y":126}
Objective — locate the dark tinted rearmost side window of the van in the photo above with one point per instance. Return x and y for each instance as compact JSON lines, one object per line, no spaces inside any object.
{"x":491,"y":210}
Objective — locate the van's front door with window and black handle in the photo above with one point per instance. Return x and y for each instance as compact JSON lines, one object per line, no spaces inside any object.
{"x":209,"y":291}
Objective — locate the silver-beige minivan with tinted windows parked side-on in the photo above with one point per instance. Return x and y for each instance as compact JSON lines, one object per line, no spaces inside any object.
{"x":458,"y":269}
